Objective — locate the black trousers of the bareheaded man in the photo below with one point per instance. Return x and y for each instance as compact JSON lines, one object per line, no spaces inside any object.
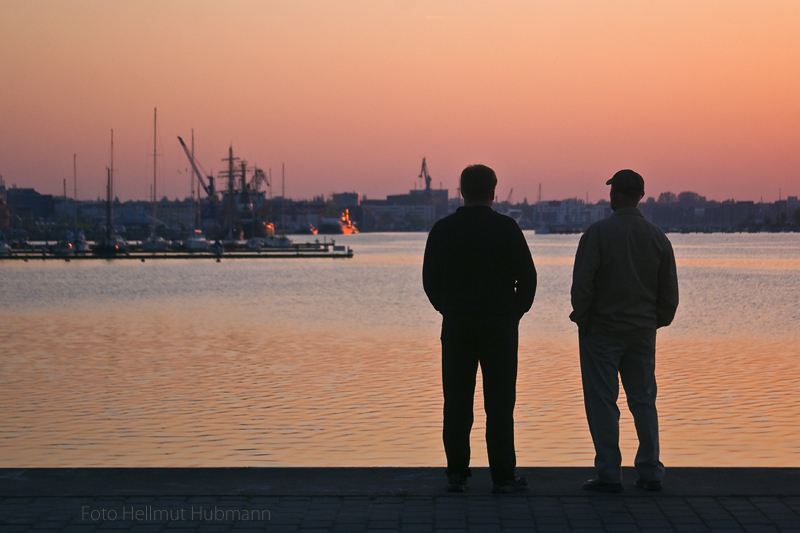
{"x":468,"y":341}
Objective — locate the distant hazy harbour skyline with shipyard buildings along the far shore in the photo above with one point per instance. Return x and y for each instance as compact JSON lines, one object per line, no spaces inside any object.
{"x":246,"y":207}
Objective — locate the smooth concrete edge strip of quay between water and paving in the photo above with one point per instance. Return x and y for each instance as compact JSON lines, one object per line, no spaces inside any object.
{"x":373,"y":481}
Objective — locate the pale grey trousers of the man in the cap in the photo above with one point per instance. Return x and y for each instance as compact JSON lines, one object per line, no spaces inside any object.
{"x":604,"y":358}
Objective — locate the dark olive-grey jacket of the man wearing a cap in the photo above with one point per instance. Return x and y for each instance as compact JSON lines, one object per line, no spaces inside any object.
{"x":624,"y":281}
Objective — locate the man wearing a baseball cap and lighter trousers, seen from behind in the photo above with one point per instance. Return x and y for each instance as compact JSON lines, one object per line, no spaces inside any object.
{"x":624,"y":287}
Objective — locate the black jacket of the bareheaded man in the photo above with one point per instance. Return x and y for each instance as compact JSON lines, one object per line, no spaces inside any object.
{"x":477,"y":262}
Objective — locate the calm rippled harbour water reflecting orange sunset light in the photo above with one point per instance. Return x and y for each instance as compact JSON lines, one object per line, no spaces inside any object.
{"x":336,"y":362}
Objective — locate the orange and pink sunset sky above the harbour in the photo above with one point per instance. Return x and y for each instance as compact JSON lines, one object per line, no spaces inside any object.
{"x":350,"y":95}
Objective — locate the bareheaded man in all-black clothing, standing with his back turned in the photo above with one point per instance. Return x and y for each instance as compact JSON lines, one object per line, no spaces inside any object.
{"x":479,"y":274}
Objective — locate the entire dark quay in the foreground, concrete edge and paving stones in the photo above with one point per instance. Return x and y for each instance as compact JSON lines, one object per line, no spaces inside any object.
{"x":310,"y":500}
